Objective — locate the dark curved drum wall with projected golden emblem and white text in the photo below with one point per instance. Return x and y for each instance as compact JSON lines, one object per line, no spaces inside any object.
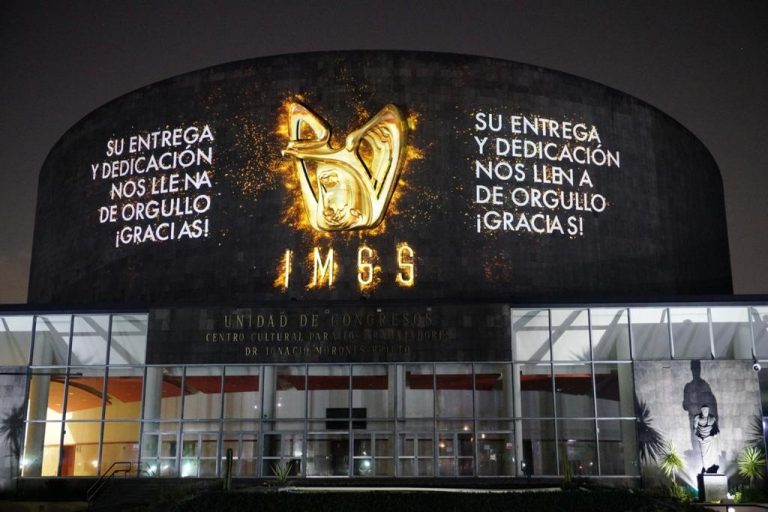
{"x":390,"y":175}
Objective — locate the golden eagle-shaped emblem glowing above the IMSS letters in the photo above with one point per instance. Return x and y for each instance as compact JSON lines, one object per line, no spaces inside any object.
{"x":352,"y":185}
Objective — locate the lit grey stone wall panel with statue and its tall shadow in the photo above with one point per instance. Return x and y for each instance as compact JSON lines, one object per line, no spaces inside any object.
{"x":706,"y":411}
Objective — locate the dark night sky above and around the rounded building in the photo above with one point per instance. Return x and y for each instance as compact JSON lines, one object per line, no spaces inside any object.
{"x":703,"y":63}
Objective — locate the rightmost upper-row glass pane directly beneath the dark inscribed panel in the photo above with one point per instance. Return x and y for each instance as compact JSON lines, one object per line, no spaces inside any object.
{"x":493,"y":391}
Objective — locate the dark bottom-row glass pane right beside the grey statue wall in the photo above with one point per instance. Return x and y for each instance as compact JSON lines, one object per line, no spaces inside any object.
{"x":618,"y":447}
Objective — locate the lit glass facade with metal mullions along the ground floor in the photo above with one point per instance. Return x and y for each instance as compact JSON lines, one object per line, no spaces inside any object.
{"x":563,"y":402}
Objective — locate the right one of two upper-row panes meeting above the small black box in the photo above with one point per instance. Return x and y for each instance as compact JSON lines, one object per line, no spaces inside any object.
{"x":373,"y":389}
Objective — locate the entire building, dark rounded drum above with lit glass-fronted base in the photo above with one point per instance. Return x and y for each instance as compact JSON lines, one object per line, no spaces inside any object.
{"x":383,"y":265}
